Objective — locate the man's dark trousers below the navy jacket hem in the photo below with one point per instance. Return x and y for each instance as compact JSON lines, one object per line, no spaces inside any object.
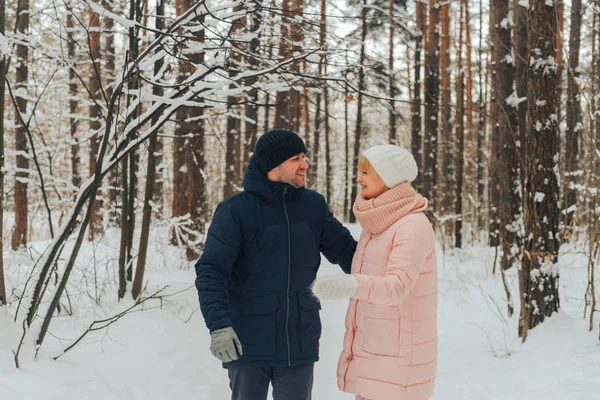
{"x":289,"y":383}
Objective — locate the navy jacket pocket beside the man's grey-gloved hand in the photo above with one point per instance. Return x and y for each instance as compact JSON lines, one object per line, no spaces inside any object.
{"x":255,"y":324}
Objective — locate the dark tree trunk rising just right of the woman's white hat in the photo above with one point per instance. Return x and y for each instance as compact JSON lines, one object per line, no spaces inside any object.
{"x":432,"y":83}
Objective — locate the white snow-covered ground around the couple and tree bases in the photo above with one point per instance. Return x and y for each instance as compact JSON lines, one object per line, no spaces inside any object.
{"x":162,"y":351}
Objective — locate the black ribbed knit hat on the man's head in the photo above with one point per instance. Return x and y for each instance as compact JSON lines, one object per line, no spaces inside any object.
{"x":275,"y":147}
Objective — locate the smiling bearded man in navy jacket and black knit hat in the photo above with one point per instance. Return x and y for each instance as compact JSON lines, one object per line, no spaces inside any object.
{"x":261,"y":254}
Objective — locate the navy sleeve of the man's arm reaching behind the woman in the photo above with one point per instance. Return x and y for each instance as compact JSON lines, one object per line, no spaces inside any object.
{"x":337,"y":244}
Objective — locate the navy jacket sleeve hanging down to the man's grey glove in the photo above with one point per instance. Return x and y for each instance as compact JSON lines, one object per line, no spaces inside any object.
{"x":214,"y":267}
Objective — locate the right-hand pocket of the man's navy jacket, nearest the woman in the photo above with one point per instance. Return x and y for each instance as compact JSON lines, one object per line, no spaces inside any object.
{"x":309,"y":324}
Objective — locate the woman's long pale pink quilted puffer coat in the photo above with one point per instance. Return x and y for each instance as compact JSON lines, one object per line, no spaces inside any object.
{"x":390,"y":345}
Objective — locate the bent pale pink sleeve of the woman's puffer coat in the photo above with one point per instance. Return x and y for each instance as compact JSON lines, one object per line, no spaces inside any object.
{"x":412,"y":245}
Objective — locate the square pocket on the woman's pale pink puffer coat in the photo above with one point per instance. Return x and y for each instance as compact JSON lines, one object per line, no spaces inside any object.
{"x":381,"y":330}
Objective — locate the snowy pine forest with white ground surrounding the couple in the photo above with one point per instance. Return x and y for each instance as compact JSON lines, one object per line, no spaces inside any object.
{"x":125,"y":122}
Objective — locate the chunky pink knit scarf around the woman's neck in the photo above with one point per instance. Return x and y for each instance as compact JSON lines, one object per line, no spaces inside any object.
{"x":378,"y":214}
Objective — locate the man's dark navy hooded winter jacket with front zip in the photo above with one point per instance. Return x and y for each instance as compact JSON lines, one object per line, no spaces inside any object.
{"x":261,"y":254}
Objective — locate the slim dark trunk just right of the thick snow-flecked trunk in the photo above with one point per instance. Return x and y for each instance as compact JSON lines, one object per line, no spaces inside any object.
{"x":574,"y":120}
